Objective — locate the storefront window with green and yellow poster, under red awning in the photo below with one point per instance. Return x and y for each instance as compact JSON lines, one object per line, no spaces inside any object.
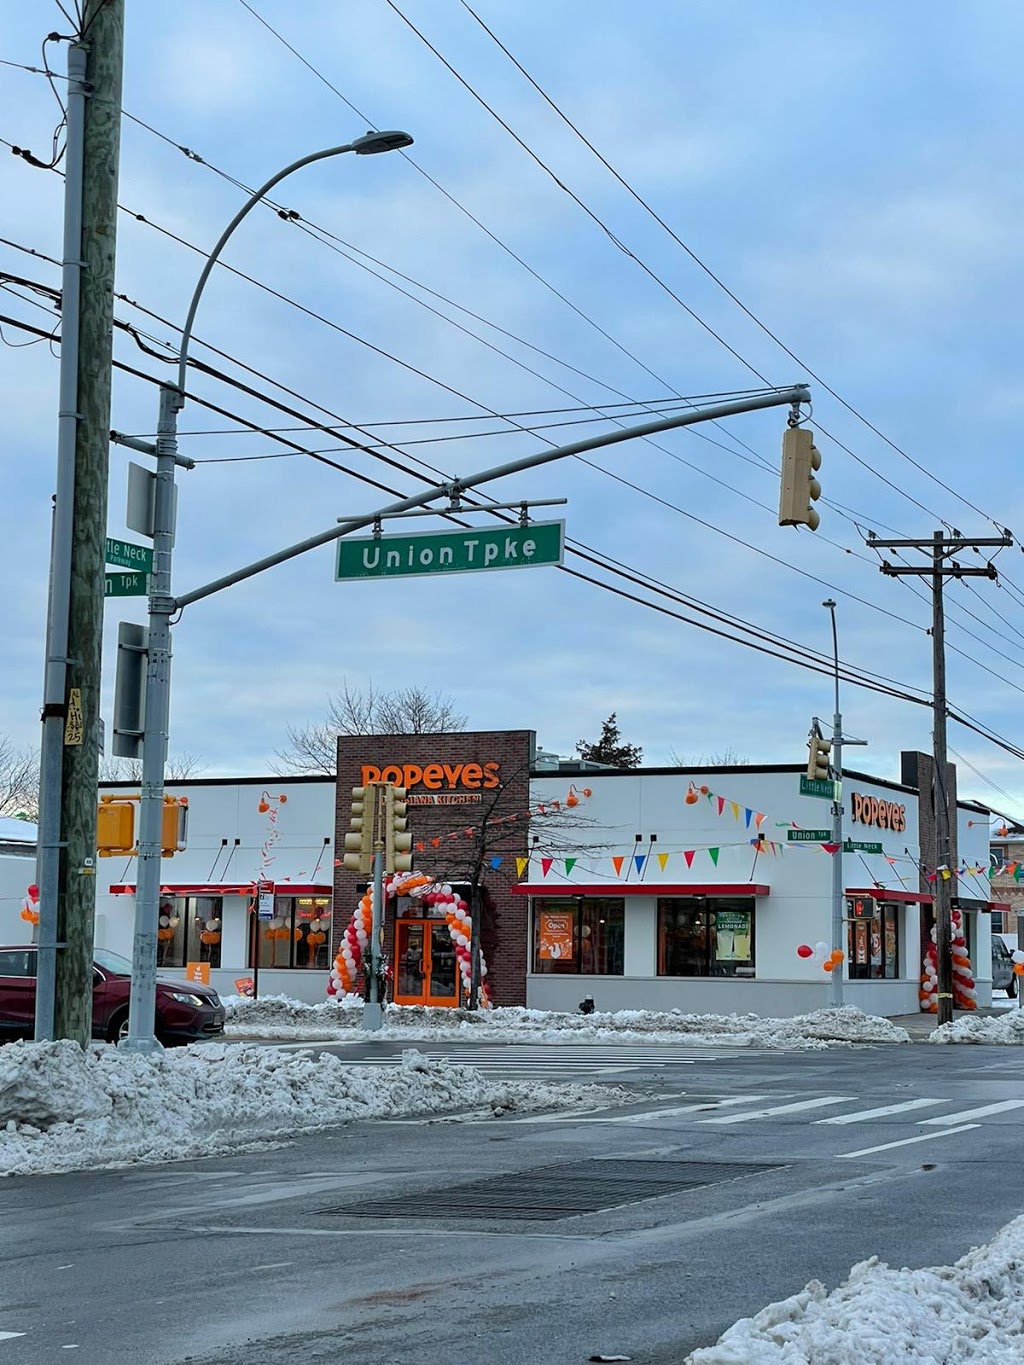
{"x":705,"y":937}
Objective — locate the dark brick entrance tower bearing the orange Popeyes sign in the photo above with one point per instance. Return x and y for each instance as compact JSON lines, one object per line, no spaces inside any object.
{"x":504,"y":922}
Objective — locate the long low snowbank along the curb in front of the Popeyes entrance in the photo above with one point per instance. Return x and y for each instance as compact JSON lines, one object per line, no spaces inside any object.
{"x":279,"y":1018}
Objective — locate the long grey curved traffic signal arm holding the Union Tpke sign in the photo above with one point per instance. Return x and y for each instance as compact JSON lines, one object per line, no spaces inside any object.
{"x":454,"y":488}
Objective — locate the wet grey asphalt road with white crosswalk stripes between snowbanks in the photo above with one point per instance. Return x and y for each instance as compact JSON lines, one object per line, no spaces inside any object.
{"x":730,"y":1183}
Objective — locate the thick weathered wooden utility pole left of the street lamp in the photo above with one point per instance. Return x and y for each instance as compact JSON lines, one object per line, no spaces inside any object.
{"x":103,"y":25}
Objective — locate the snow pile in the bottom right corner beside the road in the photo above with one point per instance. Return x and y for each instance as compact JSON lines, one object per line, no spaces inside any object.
{"x":948,"y":1315}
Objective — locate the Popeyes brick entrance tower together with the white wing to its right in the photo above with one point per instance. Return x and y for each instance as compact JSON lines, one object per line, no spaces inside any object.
{"x":663,"y":889}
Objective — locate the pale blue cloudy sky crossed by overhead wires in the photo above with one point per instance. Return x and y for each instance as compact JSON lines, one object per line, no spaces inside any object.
{"x":849,"y":173}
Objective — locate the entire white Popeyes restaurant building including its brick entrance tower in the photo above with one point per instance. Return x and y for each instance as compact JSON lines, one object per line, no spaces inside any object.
{"x":648,"y":889}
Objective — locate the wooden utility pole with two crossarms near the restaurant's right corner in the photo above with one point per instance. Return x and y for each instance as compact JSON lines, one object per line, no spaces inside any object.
{"x":941,"y":547}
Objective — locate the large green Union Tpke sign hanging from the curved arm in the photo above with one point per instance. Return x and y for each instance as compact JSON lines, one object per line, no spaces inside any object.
{"x":451,"y":552}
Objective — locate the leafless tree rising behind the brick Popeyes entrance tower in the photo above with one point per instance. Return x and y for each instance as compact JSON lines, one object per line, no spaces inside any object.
{"x":410,"y":710}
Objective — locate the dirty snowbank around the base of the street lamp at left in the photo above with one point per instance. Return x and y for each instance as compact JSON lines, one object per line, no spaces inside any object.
{"x":68,"y":1110}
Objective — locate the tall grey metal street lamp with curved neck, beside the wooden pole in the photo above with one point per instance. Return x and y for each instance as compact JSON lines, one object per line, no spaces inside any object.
{"x":162,"y":605}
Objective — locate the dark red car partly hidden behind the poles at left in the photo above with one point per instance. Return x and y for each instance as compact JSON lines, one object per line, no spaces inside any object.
{"x":188,"y":1012}
